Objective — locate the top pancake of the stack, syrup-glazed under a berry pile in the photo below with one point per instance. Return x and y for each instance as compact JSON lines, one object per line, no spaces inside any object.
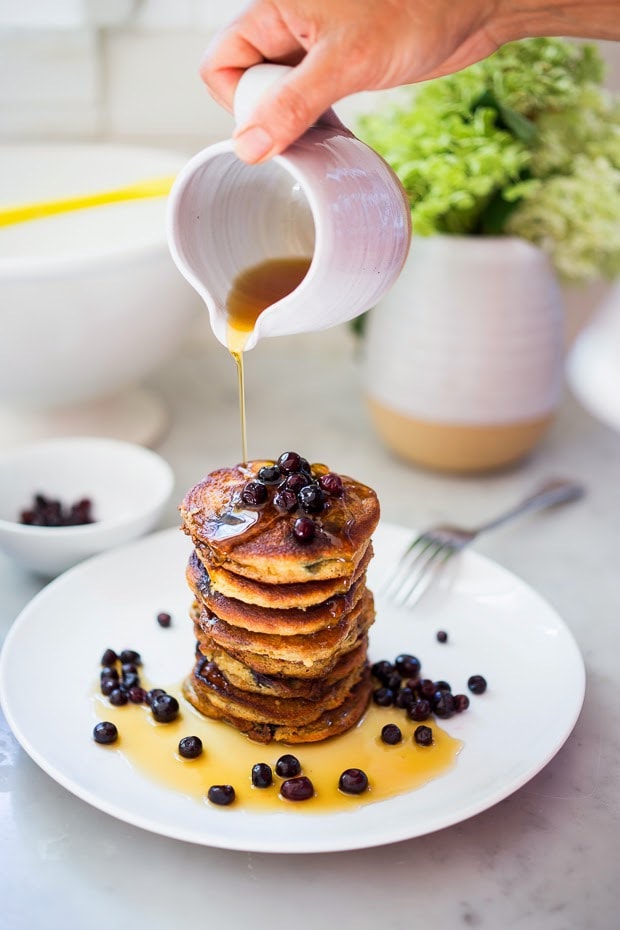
{"x":258,"y":542}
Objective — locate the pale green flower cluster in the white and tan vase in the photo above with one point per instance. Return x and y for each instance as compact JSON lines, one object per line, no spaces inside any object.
{"x":525,"y":143}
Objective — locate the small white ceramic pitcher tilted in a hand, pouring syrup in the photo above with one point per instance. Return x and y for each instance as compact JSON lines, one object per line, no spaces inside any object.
{"x":328,"y":197}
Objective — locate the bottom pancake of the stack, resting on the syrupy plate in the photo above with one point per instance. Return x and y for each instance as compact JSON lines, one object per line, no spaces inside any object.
{"x":330,"y":723}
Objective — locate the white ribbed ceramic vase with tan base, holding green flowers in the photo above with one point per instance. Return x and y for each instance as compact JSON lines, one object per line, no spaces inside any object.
{"x":465,"y":354}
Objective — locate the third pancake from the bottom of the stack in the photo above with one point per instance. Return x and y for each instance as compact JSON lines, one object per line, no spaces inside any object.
{"x":312,"y":689}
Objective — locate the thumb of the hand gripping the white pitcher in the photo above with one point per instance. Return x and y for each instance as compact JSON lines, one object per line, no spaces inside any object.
{"x":291,"y":106}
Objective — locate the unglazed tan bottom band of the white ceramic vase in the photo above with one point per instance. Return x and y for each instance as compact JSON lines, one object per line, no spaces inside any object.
{"x":455,"y":447}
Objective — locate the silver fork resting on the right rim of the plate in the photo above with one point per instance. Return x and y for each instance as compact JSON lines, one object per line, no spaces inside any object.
{"x":431,"y":550}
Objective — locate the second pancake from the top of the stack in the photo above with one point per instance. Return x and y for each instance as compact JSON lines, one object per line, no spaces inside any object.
{"x":285,"y":596}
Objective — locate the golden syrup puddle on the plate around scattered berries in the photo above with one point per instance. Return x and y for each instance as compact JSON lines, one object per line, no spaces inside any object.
{"x":228,"y":756}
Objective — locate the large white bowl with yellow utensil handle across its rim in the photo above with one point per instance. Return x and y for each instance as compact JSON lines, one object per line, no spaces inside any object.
{"x":90,"y":301}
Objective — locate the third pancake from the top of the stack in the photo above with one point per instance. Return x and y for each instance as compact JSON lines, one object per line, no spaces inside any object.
{"x":284,"y":622}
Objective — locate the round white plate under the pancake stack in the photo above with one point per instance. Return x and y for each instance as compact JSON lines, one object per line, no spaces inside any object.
{"x":497,"y":627}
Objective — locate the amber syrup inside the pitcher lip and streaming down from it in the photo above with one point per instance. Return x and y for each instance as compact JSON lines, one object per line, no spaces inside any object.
{"x":251,"y":292}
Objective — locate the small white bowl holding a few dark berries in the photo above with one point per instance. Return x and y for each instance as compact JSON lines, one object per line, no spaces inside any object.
{"x":128,"y":485}
